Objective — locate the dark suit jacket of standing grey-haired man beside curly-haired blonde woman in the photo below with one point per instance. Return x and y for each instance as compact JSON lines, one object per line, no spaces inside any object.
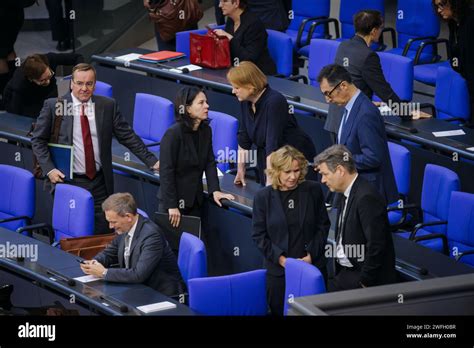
{"x":366,"y":223}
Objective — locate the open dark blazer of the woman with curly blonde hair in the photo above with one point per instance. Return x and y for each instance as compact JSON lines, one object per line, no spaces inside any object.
{"x":270,"y":230}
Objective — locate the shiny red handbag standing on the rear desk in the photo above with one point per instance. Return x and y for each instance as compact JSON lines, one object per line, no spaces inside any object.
{"x":210,"y":50}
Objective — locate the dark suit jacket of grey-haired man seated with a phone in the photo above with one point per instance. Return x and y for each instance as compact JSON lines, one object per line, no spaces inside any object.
{"x":151,"y":262}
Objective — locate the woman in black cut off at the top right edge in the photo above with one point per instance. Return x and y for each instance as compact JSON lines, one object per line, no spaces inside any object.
{"x":460,"y":17}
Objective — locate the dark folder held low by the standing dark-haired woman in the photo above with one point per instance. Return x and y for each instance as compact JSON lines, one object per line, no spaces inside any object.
{"x":189,"y":224}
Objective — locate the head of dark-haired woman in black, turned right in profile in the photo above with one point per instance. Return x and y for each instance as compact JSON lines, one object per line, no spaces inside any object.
{"x":191,"y":107}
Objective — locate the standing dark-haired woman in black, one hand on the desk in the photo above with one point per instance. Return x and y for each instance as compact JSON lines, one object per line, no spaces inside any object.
{"x":185,"y":153}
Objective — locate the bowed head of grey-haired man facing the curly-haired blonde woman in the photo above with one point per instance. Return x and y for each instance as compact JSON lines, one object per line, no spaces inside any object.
{"x":337,"y":167}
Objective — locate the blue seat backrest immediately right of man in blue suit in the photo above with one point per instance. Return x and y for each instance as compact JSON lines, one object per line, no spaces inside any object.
{"x":401,"y":163}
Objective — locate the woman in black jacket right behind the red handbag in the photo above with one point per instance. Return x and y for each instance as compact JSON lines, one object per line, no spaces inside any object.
{"x":247,"y":35}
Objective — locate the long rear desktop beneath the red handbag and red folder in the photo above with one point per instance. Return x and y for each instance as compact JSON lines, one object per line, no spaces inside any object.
{"x":304,"y":97}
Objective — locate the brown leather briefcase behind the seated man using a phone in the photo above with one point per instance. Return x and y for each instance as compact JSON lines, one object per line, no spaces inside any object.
{"x":88,"y":246}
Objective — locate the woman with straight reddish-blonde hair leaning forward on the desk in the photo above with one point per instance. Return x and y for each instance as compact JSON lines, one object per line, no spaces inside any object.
{"x":267,"y":121}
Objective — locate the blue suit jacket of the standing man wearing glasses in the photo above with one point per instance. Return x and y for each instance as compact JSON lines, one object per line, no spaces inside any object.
{"x":364,"y":135}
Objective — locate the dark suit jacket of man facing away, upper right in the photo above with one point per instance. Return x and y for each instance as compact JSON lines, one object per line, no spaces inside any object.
{"x":366,"y":72}
